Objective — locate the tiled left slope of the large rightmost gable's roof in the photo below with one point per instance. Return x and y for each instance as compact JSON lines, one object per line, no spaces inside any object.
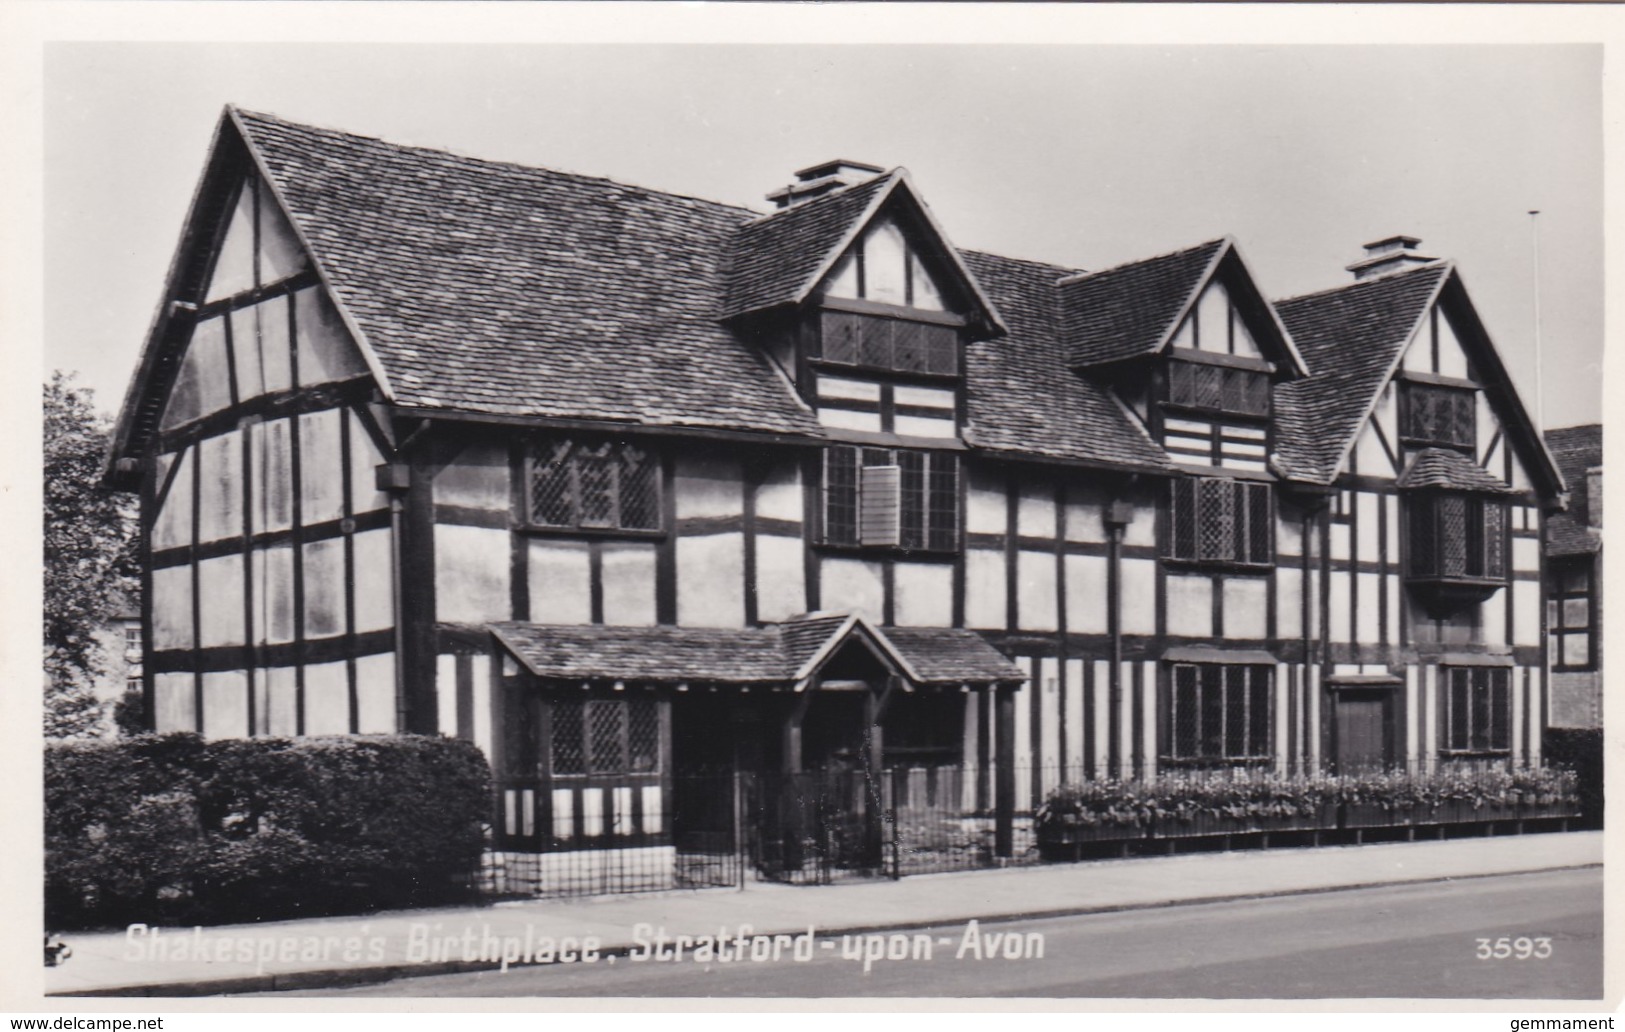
{"x":1351,"y":339}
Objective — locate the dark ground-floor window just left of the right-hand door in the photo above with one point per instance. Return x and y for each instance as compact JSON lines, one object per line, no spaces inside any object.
{"x":1220,"y":713}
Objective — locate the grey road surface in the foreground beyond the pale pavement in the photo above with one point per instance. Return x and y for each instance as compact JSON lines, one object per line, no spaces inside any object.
{"x":1406,"y":942}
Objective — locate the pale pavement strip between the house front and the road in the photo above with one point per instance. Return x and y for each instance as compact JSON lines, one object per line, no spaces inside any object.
{"x":407,"y":943}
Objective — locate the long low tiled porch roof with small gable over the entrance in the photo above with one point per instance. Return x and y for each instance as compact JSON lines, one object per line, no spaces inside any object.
{"x":778,"y":654}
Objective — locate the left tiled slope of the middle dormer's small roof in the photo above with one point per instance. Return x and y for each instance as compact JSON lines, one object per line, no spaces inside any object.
{"x":1129,"y":311}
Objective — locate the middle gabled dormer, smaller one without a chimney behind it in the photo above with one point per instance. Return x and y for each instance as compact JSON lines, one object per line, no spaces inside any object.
{"x":1192,"y":349}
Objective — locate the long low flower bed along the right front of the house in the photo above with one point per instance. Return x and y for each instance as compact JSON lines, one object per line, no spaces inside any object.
{"x":1189,"y":805}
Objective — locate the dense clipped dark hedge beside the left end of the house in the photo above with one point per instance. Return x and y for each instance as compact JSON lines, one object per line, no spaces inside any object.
{"x":173,"y":830}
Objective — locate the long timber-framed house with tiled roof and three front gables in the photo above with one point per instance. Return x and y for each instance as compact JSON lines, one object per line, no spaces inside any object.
{"x":620,"y":483}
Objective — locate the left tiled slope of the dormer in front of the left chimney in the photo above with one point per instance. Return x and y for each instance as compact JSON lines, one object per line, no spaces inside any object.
{"x":773,"y":259}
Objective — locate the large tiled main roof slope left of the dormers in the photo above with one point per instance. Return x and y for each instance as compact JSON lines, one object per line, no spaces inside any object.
{"x":496,"y":288}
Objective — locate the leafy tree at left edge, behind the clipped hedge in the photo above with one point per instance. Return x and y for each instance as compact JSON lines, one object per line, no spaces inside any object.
{"x":90,"y":557}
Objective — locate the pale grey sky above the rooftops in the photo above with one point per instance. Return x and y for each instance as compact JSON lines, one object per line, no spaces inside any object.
{"x":1078,"y":155}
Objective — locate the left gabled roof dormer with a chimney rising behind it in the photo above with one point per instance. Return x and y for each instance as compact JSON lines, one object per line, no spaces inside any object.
{"x":857,"y":293}
